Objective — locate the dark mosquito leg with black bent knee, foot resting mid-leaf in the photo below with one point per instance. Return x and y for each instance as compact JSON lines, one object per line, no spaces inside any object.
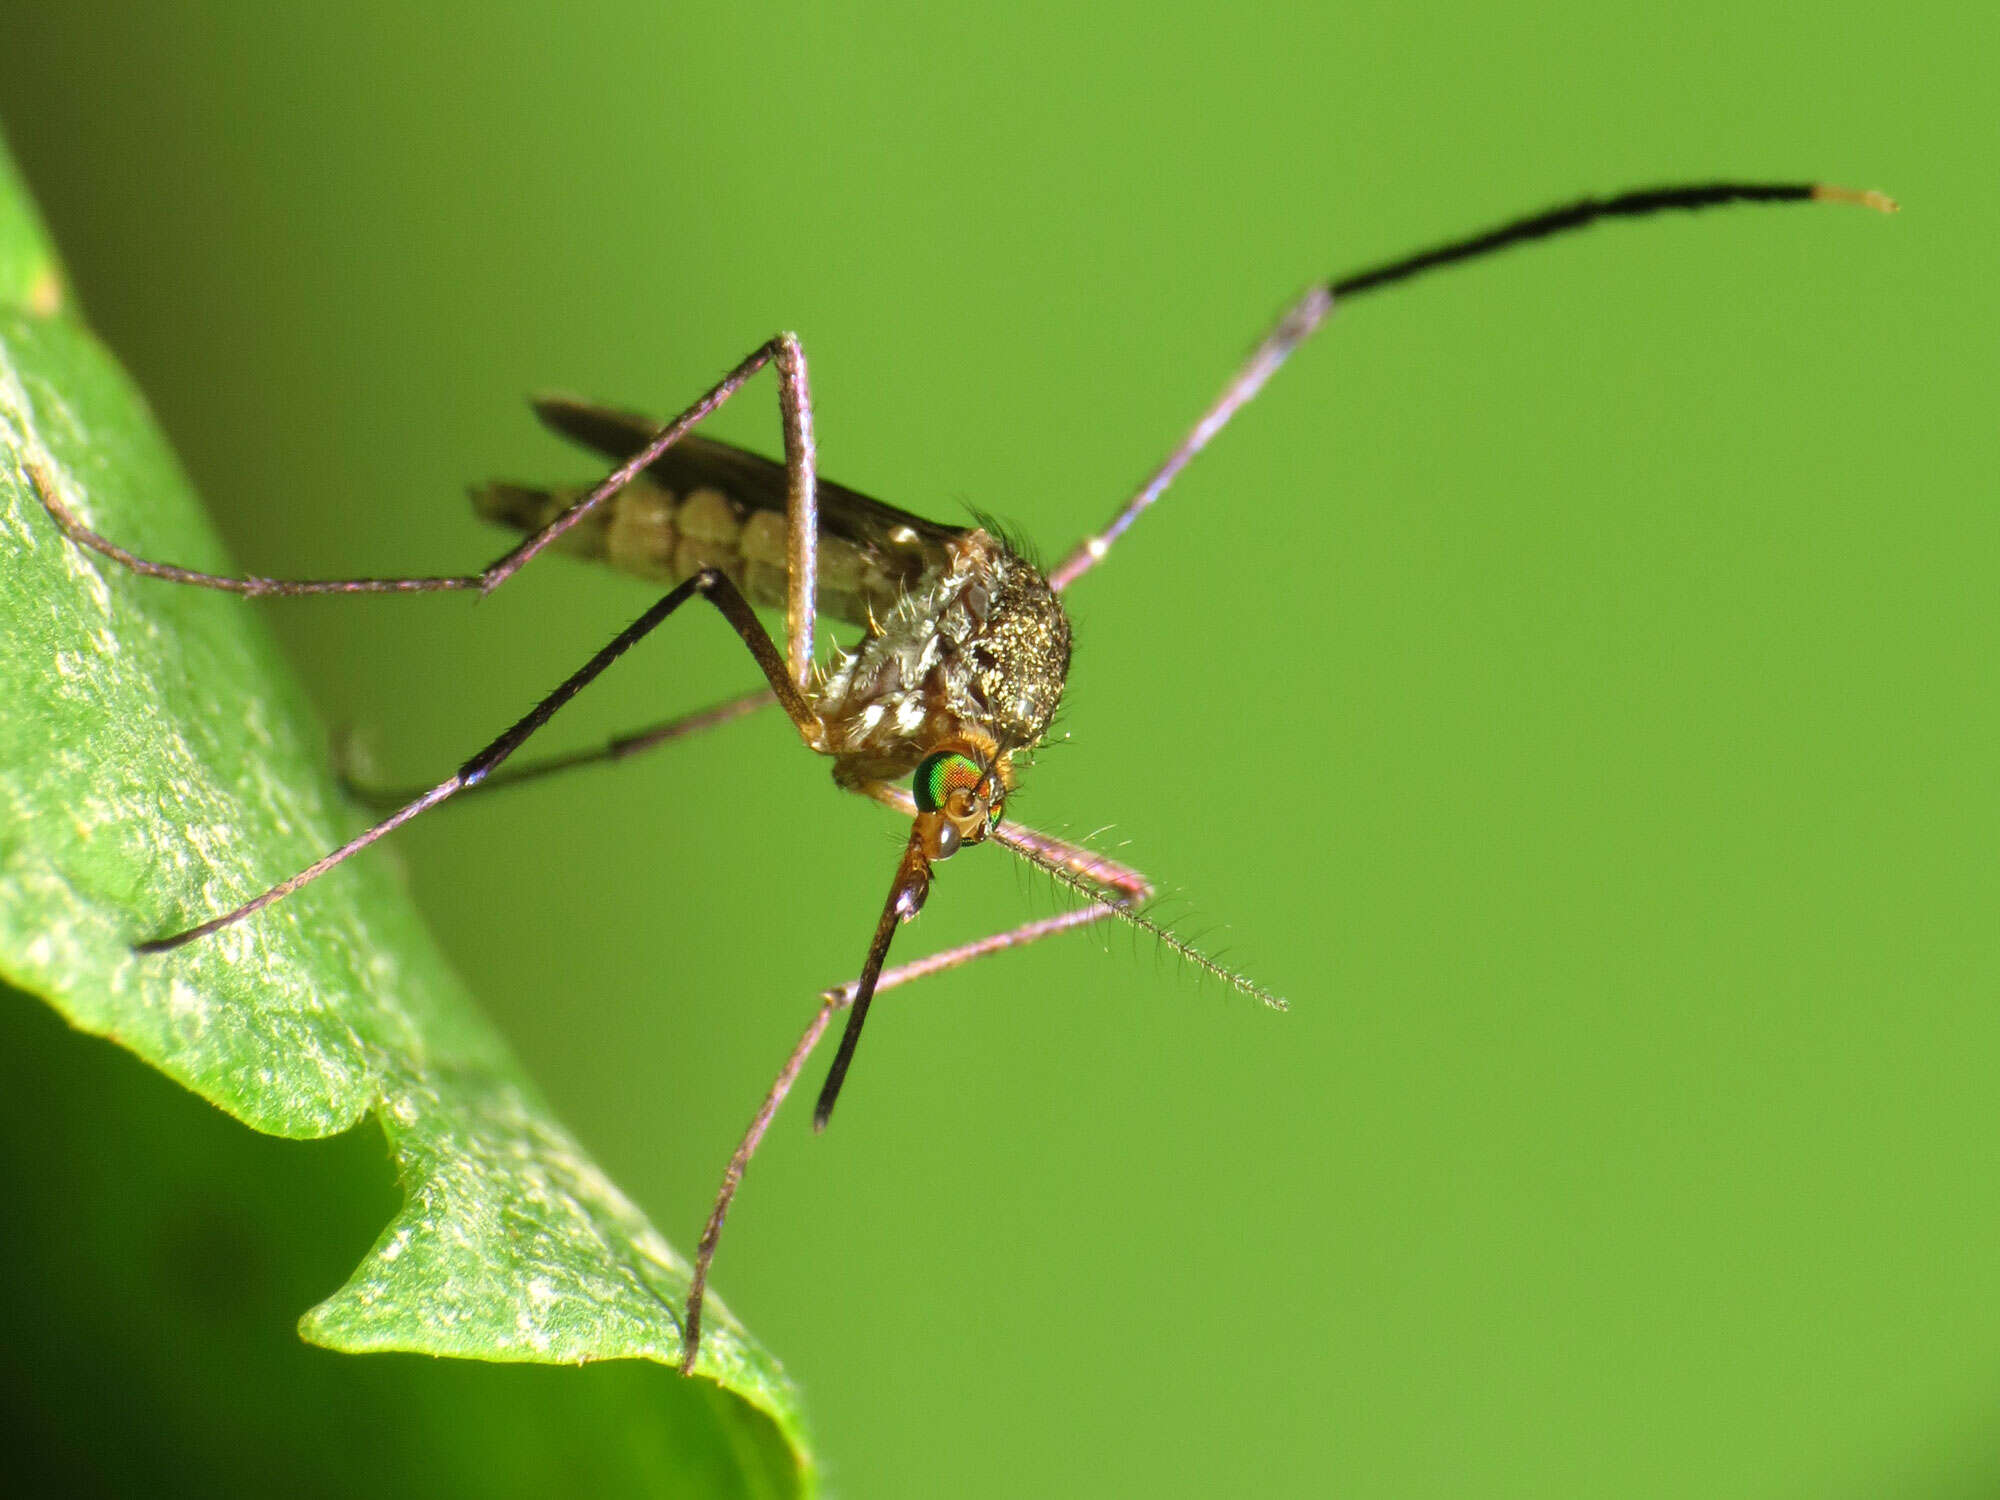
{"x":711,"y":585}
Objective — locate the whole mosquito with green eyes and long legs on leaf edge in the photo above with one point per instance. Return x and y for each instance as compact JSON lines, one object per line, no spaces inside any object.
{"x":963,"y":649}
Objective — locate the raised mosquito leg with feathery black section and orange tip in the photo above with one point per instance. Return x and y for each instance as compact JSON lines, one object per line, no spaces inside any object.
{"x":1305,"y":317}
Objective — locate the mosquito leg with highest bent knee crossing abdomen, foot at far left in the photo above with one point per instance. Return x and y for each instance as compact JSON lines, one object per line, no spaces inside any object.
{"x":795,"y":403}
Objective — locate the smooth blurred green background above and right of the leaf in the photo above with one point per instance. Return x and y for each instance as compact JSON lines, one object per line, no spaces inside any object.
{"x":1569,"y":687}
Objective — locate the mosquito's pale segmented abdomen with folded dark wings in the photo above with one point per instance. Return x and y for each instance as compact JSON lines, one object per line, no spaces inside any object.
{"x":709,"y":505}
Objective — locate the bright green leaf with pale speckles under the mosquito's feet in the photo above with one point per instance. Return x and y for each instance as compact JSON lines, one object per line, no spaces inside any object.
{"x":159,"y":765}
